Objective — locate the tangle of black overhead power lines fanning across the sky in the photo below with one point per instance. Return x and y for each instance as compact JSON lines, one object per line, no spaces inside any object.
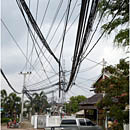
{"x":86,"y":17}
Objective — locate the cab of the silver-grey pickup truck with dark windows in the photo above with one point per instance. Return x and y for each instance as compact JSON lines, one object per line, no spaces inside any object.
{"x":78,"y":124}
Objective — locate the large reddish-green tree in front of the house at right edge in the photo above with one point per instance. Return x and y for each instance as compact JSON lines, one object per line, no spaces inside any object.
{"x":116,"y":89}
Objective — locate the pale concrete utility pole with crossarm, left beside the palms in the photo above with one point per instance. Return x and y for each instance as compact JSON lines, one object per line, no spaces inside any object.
{"x":24,"y":85}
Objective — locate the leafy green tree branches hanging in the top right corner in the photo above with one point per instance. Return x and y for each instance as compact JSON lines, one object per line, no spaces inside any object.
{"x":120,"y":10}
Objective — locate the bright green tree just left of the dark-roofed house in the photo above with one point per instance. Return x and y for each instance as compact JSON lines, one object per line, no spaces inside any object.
{"x":73,"y":105}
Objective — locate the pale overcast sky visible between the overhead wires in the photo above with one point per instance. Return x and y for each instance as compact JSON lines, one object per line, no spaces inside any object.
{"x":13,"y":61}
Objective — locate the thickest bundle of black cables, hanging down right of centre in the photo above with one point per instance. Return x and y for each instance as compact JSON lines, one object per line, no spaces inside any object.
{"x":84,"y":29}
